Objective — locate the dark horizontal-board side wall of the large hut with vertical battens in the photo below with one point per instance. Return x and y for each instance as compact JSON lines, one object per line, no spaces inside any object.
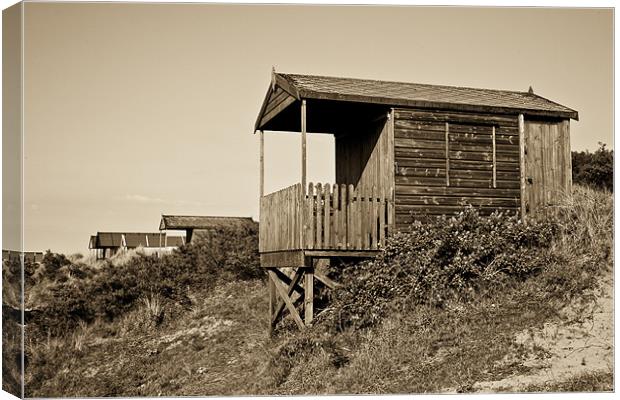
{"x":446,"y":160}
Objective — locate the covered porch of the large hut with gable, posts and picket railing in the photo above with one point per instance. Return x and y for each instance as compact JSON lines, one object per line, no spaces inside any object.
{"x":347,"y":218}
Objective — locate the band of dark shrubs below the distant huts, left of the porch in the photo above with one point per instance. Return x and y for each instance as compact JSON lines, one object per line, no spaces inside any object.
{"x":65,"y":292}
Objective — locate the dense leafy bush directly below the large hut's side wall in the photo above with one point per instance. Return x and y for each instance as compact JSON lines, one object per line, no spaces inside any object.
{"x":438,"y":261}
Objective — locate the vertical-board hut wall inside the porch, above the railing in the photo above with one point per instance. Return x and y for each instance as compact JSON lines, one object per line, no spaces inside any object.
{"x":365,"y":158}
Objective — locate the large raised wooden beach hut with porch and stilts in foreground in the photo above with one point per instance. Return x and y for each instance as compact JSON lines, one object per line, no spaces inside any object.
{"x":404,"y":151}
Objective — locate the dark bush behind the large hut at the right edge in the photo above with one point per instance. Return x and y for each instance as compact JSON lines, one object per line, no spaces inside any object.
{"x":594,"y":169}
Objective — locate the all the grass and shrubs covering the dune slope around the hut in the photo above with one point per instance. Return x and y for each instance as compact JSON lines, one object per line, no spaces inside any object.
{"x":439,"y":309}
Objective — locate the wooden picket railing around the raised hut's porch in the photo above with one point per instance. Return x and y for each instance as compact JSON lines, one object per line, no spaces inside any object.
{"x":324,"y":217}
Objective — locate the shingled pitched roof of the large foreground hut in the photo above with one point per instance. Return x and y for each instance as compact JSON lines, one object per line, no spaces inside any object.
{"x":407,"y":94}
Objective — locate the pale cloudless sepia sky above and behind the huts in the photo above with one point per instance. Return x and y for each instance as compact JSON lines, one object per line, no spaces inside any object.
{"x":134,"y":110}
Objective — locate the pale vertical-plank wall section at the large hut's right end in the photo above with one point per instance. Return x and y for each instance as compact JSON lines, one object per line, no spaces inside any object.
{"x":547,"y":163}
